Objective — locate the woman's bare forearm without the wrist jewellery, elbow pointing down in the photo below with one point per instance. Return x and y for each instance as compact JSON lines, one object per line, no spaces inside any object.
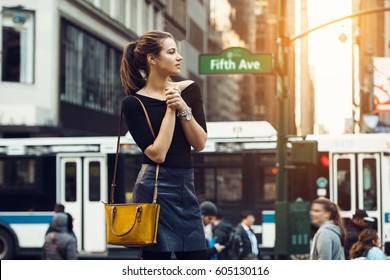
{"x":159,"y":149}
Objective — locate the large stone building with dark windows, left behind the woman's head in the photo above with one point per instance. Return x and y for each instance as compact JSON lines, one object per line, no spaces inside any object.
{"x":61,"y":58}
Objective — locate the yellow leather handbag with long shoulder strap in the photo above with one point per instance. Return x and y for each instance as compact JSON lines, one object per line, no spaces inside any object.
{"x":132,"y":224}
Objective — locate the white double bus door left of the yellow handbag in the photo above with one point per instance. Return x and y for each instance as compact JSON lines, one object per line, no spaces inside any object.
{"x":81,"y":185}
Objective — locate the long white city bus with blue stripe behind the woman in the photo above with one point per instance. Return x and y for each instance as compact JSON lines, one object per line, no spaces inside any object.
{"x":236,"y":170}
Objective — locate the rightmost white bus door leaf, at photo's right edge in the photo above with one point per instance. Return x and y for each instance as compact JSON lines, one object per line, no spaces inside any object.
{"x":369,"y":186}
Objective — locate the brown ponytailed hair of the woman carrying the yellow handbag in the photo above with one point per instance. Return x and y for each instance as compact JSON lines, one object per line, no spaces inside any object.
{"x":134,"y":68}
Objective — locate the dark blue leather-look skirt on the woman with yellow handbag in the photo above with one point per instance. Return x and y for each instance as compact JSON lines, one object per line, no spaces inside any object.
{"x":180,"y":227}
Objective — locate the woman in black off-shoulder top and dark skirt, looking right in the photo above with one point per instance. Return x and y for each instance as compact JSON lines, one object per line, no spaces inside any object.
{"x":176,"y":113}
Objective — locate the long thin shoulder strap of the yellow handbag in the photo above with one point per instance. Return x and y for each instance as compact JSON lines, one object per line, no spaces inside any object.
{"x":113,"y":184}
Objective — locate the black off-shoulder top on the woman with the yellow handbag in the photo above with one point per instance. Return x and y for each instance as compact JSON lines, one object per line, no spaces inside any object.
{"x":179,"y":153}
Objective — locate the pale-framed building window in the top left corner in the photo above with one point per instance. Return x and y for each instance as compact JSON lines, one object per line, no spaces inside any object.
{"x":18,"y":29}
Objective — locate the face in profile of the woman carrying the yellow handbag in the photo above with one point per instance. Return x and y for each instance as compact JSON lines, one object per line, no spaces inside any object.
{"x":168,"y":63}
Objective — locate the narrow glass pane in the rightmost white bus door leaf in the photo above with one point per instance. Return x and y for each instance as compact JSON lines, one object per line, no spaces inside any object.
{"x":369,"y":184}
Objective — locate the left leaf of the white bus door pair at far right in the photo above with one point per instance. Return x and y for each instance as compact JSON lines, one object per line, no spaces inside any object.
{"x":343,"y":192}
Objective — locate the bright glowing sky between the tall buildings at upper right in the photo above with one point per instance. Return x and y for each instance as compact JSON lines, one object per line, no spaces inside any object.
{"x":331,"y":61}
